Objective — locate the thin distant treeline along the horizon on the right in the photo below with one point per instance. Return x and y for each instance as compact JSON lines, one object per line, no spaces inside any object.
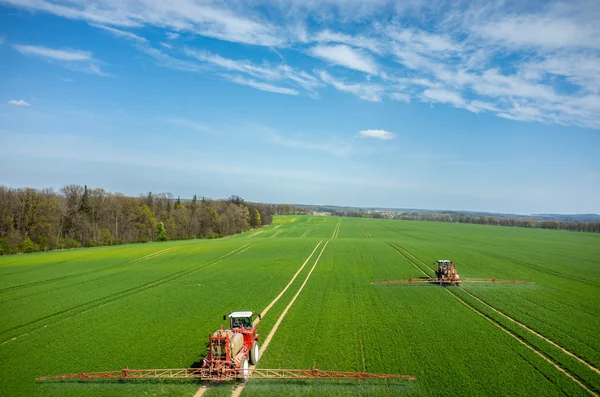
{"x":592,"y":227}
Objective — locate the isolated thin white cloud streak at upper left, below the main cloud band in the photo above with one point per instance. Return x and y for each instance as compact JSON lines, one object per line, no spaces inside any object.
{"x":81,"y":61}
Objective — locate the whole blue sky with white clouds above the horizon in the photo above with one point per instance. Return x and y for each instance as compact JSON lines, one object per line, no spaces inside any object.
{"x":440,"y":105}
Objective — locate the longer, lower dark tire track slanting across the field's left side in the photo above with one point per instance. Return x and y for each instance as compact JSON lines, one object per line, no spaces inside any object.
{"x":95,"y":303}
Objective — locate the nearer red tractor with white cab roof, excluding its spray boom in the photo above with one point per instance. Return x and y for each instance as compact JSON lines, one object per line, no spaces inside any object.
{"x":232,"y":350}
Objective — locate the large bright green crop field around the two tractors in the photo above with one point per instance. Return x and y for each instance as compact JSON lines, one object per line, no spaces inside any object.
{"x":153,"y":306}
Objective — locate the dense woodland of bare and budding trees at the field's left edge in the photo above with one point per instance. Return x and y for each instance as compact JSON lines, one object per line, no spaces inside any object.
{"x":43,"y":219}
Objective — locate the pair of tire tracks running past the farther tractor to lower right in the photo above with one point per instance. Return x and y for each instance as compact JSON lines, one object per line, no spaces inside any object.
{"x":525,"y":343}
